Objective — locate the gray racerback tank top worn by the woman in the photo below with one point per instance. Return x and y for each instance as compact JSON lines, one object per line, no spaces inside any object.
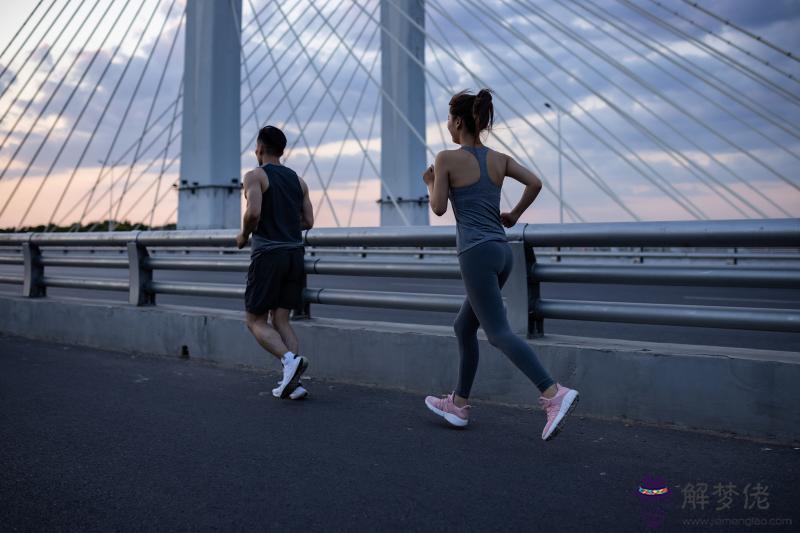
{"x":477,"y":207}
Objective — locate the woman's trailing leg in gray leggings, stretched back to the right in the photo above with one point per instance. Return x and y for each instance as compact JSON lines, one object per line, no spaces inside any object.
{"x":484,"y":273}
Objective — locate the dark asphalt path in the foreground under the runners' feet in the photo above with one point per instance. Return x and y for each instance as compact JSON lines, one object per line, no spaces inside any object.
{"x":103,"y":441}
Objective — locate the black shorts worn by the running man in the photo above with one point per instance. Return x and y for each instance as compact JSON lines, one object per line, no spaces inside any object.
{"x":275,"y":280}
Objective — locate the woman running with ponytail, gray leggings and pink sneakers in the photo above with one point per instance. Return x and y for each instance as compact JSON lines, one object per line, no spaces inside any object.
{"x":472,"y":177}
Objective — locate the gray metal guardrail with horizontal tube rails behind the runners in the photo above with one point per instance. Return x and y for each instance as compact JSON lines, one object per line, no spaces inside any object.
{"x":526,"y":309}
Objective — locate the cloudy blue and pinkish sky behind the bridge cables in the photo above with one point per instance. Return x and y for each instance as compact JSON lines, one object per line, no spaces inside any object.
{"x":667,"y":113}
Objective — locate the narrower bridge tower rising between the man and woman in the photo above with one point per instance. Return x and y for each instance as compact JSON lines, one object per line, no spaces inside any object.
{"x":403,"y":79}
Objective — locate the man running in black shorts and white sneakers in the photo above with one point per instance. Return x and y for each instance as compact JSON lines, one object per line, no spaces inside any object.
{"x":278,"y":210}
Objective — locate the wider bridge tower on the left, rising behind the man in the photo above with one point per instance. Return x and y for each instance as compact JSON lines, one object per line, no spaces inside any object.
{"x":209,"y":194}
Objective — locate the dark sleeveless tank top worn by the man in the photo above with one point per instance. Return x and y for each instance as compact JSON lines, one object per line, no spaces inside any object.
{"x":281,"y":211}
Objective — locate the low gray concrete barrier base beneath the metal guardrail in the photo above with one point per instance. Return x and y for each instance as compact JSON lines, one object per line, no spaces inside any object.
{"x":748,"y":393}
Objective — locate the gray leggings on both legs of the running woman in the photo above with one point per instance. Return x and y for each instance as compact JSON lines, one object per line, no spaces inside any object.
{"x":485,"y":269}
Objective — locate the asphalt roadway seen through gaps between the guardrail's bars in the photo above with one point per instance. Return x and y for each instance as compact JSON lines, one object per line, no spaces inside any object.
{"x":714,"y":296}
